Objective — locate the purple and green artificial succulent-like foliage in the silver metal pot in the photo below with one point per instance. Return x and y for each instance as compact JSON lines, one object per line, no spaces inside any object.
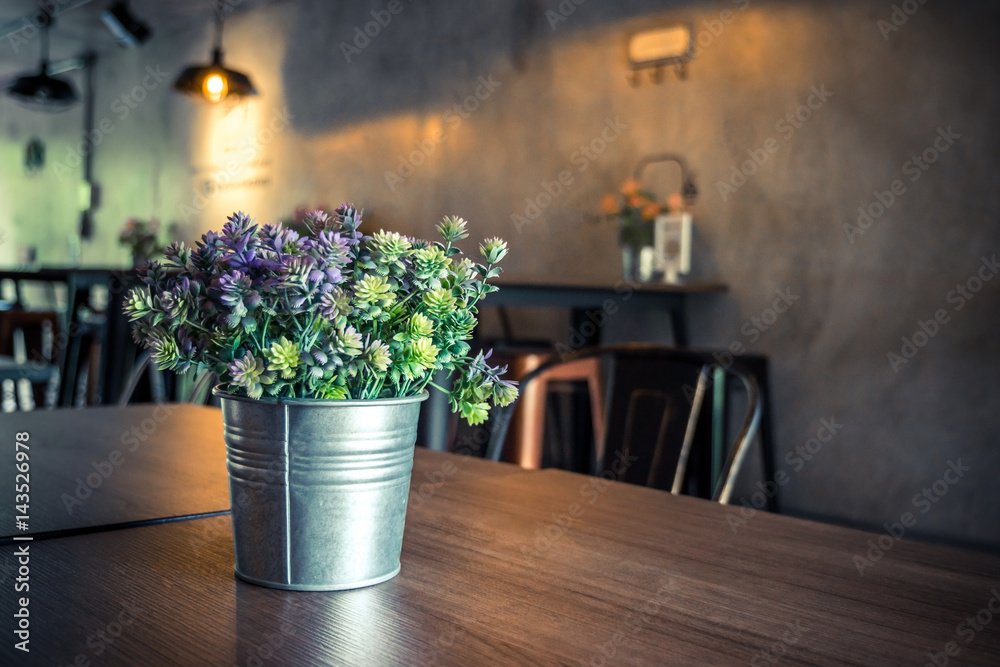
{"x":332,"y":314}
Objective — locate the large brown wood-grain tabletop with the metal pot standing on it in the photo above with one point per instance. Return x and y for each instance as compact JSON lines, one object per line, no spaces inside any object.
{"x":506,"y":566}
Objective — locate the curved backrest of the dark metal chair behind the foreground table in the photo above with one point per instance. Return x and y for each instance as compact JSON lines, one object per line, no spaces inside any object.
{"x":655,"y":421}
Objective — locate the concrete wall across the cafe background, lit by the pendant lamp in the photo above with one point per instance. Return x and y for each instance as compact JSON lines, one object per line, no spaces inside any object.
{"x":382,"y":130}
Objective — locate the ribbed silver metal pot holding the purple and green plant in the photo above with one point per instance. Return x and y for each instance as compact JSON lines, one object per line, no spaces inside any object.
{"x":318,"y":488}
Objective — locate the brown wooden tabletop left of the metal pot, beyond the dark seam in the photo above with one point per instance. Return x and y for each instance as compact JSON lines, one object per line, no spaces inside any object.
{"x":105,"y":466}
